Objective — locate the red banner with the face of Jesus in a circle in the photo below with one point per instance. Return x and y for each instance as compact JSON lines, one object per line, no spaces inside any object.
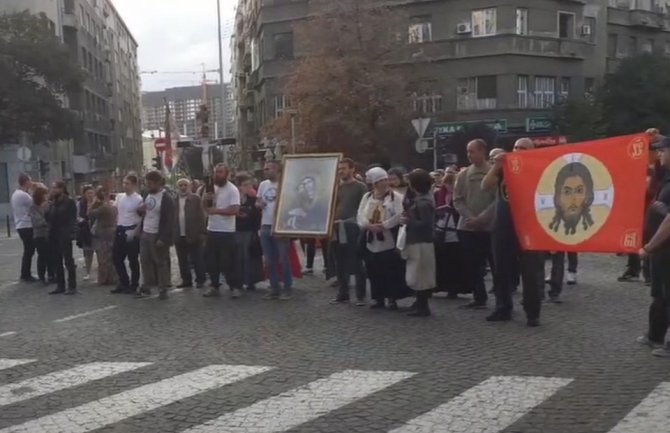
{"x":583,"y":197}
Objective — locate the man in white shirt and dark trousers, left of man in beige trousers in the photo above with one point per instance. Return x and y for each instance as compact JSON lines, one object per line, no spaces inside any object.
{"x":127,"y":240}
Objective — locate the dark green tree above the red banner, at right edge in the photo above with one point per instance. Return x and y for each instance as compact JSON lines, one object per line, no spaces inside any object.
{"x":637,"y":95}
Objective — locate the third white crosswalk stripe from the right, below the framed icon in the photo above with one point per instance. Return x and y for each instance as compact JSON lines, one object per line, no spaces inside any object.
{"x":301,"y":405}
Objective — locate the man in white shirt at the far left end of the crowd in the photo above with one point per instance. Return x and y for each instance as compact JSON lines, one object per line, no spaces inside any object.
{"x":21,"y":202}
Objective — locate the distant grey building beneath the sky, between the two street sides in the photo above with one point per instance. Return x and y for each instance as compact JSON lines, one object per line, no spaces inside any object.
{"x":184,"y":104}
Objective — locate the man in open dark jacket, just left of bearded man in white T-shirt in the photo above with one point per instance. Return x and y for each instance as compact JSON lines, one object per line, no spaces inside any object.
{"x":190,"y":233}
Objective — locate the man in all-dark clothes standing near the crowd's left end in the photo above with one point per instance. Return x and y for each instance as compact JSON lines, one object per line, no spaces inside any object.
{"x":62,"y":218}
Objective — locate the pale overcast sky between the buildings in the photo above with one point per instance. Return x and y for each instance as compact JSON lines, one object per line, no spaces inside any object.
{"x":177,"y":35}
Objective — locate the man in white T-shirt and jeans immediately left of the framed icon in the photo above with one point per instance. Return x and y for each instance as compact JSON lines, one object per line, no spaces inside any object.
{"x":275,"y":249}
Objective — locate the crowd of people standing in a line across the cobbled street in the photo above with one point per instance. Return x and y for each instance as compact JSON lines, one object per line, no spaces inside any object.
{"x":407,"y":234}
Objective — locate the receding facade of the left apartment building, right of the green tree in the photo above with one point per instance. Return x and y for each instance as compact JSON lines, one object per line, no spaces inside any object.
{"x":109,"y":104}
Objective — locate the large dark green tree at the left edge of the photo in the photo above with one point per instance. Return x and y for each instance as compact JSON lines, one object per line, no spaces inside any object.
{"x":36,"y":70}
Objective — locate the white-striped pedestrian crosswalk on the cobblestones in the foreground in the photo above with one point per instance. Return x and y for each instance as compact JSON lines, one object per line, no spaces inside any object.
{"x":491,"y":406}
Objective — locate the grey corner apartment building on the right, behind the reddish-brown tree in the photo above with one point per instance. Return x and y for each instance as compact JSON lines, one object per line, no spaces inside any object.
{"x":501,"y":62}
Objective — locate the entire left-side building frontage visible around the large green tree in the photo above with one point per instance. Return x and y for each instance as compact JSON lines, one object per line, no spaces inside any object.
{"x":108,"y":105}
